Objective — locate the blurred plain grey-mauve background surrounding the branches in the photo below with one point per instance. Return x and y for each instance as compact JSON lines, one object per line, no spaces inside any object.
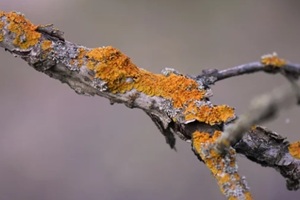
{"x":57,"y":145}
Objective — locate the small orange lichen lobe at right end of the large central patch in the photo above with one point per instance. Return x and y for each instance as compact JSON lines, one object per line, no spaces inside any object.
{"x":209,"y":114}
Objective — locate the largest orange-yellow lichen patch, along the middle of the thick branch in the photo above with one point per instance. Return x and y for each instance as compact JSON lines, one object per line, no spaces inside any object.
{"x":121,"y":75}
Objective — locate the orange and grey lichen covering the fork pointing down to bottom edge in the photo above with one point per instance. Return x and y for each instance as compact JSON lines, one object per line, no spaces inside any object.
{"x":224,"y":170}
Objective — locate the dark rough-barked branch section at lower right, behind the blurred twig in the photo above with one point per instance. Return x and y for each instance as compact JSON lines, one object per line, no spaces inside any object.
{"x":270,"y":149}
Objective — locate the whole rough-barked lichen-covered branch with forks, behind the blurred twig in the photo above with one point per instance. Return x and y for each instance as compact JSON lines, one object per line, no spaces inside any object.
{"x":178,"y":104}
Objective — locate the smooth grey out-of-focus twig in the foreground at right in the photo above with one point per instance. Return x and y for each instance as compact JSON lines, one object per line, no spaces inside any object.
{"x":262,"y":108}
